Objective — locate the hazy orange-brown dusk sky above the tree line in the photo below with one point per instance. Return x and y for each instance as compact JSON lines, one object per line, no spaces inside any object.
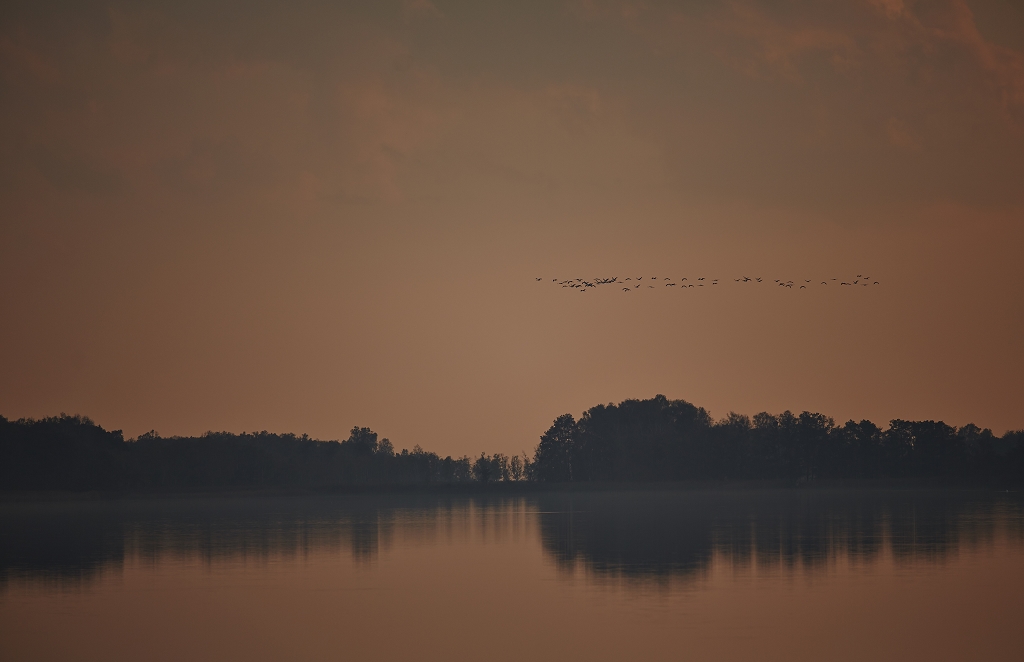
{"x":307,"y":217}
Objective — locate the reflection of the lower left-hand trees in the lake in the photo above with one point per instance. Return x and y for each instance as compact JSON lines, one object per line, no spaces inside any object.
{"x":70,"y":544}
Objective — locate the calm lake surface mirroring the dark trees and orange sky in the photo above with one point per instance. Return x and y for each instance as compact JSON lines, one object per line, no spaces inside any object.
{"x":788,"y":575}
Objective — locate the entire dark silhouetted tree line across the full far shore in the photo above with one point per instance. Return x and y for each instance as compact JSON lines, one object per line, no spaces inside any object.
{"x":656,"y":440}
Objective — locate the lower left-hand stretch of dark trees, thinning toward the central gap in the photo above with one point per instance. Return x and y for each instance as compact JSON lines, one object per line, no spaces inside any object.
{"x":74,"y":453}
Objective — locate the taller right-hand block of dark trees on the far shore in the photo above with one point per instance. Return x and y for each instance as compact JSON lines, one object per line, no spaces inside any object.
{"x":672,"y":440}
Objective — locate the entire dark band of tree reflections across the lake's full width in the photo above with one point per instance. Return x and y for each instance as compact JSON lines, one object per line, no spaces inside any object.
{"x":634,"y":535}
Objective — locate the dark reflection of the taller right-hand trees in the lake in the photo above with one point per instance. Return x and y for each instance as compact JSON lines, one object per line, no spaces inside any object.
{"x":646,"y":534}
